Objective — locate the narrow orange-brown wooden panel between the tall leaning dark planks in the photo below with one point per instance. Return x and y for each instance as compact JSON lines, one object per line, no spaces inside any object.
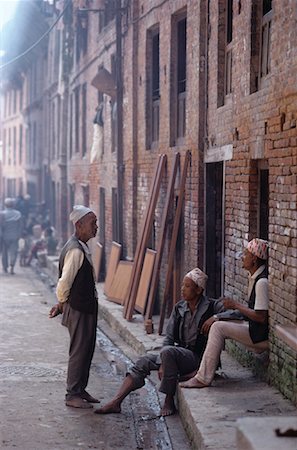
{"x":145,"y":280}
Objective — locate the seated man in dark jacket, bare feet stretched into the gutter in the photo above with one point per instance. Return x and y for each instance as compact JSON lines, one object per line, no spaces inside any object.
{"x":183,"y":347}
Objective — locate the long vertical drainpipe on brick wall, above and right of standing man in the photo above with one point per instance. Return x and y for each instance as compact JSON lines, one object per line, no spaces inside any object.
{"x":119,"y":83}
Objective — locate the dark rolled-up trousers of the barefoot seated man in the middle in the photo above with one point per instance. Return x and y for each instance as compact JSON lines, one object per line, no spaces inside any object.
{"x":176,"y":362}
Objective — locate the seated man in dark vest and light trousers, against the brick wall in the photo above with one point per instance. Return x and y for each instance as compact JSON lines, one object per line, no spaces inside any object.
{"x":253,"y":332}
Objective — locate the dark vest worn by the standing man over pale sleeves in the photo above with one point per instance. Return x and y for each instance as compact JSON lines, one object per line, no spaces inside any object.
{"x":82,"y":296}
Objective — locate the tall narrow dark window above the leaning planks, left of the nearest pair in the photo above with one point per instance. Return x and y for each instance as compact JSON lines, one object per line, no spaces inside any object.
{"x":153,"y":86}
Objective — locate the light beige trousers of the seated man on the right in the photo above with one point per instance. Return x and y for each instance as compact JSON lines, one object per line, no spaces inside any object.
{"x":219,"y":331}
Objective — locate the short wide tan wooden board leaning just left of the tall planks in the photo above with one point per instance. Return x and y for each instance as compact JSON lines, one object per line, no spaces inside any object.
{"x":120,"y":282}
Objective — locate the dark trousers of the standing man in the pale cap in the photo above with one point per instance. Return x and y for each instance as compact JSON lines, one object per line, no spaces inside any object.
{"x":82,"y":331}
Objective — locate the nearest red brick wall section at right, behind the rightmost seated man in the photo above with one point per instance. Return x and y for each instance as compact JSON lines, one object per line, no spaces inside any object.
{"x":261,"y":126}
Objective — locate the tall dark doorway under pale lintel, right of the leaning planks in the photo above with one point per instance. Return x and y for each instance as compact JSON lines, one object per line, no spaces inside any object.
{"x":214,"y":228}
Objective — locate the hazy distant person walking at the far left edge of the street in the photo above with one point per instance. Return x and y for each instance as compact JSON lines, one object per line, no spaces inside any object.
{"x":11,"y":232}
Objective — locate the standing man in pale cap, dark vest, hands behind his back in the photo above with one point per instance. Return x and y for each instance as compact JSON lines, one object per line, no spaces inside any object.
{"x":78,"y":301}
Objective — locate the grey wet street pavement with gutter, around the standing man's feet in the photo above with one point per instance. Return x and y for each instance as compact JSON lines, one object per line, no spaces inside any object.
{"x":33,"y":363}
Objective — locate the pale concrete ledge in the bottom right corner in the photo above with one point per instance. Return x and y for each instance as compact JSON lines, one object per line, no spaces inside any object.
{"x":259,"y":433}
